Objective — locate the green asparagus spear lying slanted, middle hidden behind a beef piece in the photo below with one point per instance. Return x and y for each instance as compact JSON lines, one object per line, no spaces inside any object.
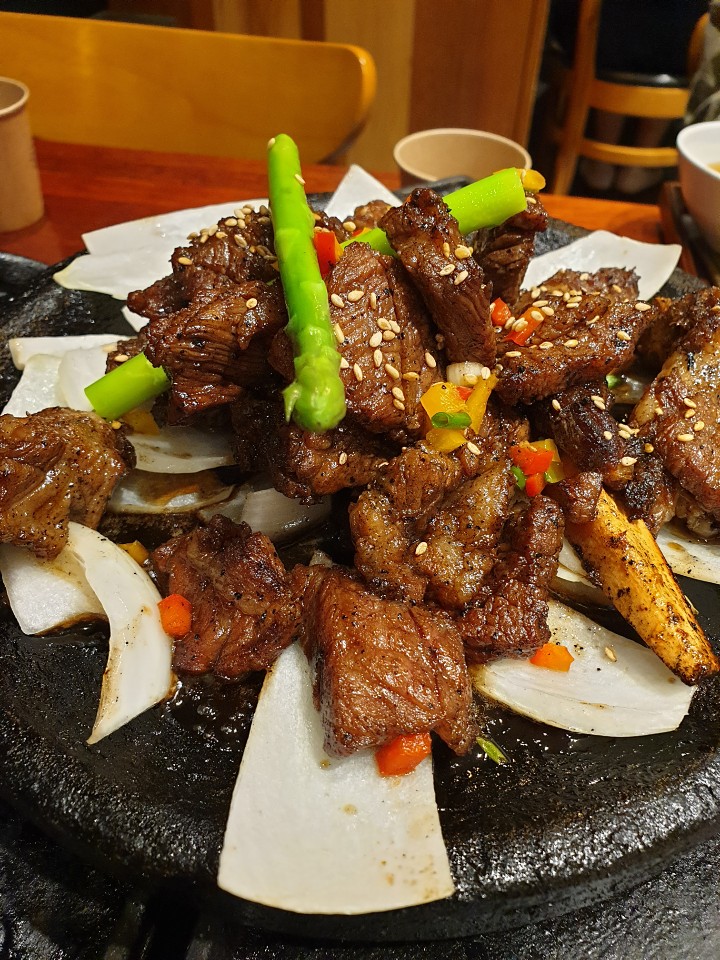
{"x":485,"y":203}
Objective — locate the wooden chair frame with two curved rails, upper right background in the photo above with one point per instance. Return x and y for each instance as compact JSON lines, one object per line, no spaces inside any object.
{"x":583,"y":90}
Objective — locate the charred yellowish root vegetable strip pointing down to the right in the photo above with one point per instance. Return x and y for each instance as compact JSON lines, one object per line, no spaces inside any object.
{"x":634,"y":575}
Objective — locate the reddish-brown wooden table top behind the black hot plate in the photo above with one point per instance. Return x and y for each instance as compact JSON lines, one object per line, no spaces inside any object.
{"x":86,"y":188}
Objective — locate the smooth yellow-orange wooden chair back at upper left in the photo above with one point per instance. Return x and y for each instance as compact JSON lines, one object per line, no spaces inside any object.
{"x":189,"y":91}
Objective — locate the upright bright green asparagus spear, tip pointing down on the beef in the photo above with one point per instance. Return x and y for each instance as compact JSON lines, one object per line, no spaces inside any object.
{"x":316,"y":397}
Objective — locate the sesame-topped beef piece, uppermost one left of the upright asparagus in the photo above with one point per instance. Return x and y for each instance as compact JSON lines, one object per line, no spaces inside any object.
{"x":239,"y":248}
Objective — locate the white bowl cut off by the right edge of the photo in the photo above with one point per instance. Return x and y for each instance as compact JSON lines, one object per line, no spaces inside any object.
{"x":699,"y":146}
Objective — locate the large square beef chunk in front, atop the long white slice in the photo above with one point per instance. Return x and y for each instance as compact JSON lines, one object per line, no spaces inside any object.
{"x":382,"y":668}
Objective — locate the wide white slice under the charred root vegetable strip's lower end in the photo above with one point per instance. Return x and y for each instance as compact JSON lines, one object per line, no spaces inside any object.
{"x":631,"y":696}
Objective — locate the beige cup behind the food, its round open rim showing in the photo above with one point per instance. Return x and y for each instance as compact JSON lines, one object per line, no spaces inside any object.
{"x":454,"y":151}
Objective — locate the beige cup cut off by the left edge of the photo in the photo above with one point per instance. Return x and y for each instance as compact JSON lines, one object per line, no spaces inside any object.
{"x":21,"y":201}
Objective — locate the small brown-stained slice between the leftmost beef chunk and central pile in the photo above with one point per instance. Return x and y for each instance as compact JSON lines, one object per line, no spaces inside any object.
{"x":142,"y":492}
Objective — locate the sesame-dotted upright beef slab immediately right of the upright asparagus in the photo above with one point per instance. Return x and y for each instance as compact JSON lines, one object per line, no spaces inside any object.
{"x":385,"y":342}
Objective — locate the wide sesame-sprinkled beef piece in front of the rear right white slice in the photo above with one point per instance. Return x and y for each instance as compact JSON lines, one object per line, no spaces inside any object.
{"x":592,"y":329}
